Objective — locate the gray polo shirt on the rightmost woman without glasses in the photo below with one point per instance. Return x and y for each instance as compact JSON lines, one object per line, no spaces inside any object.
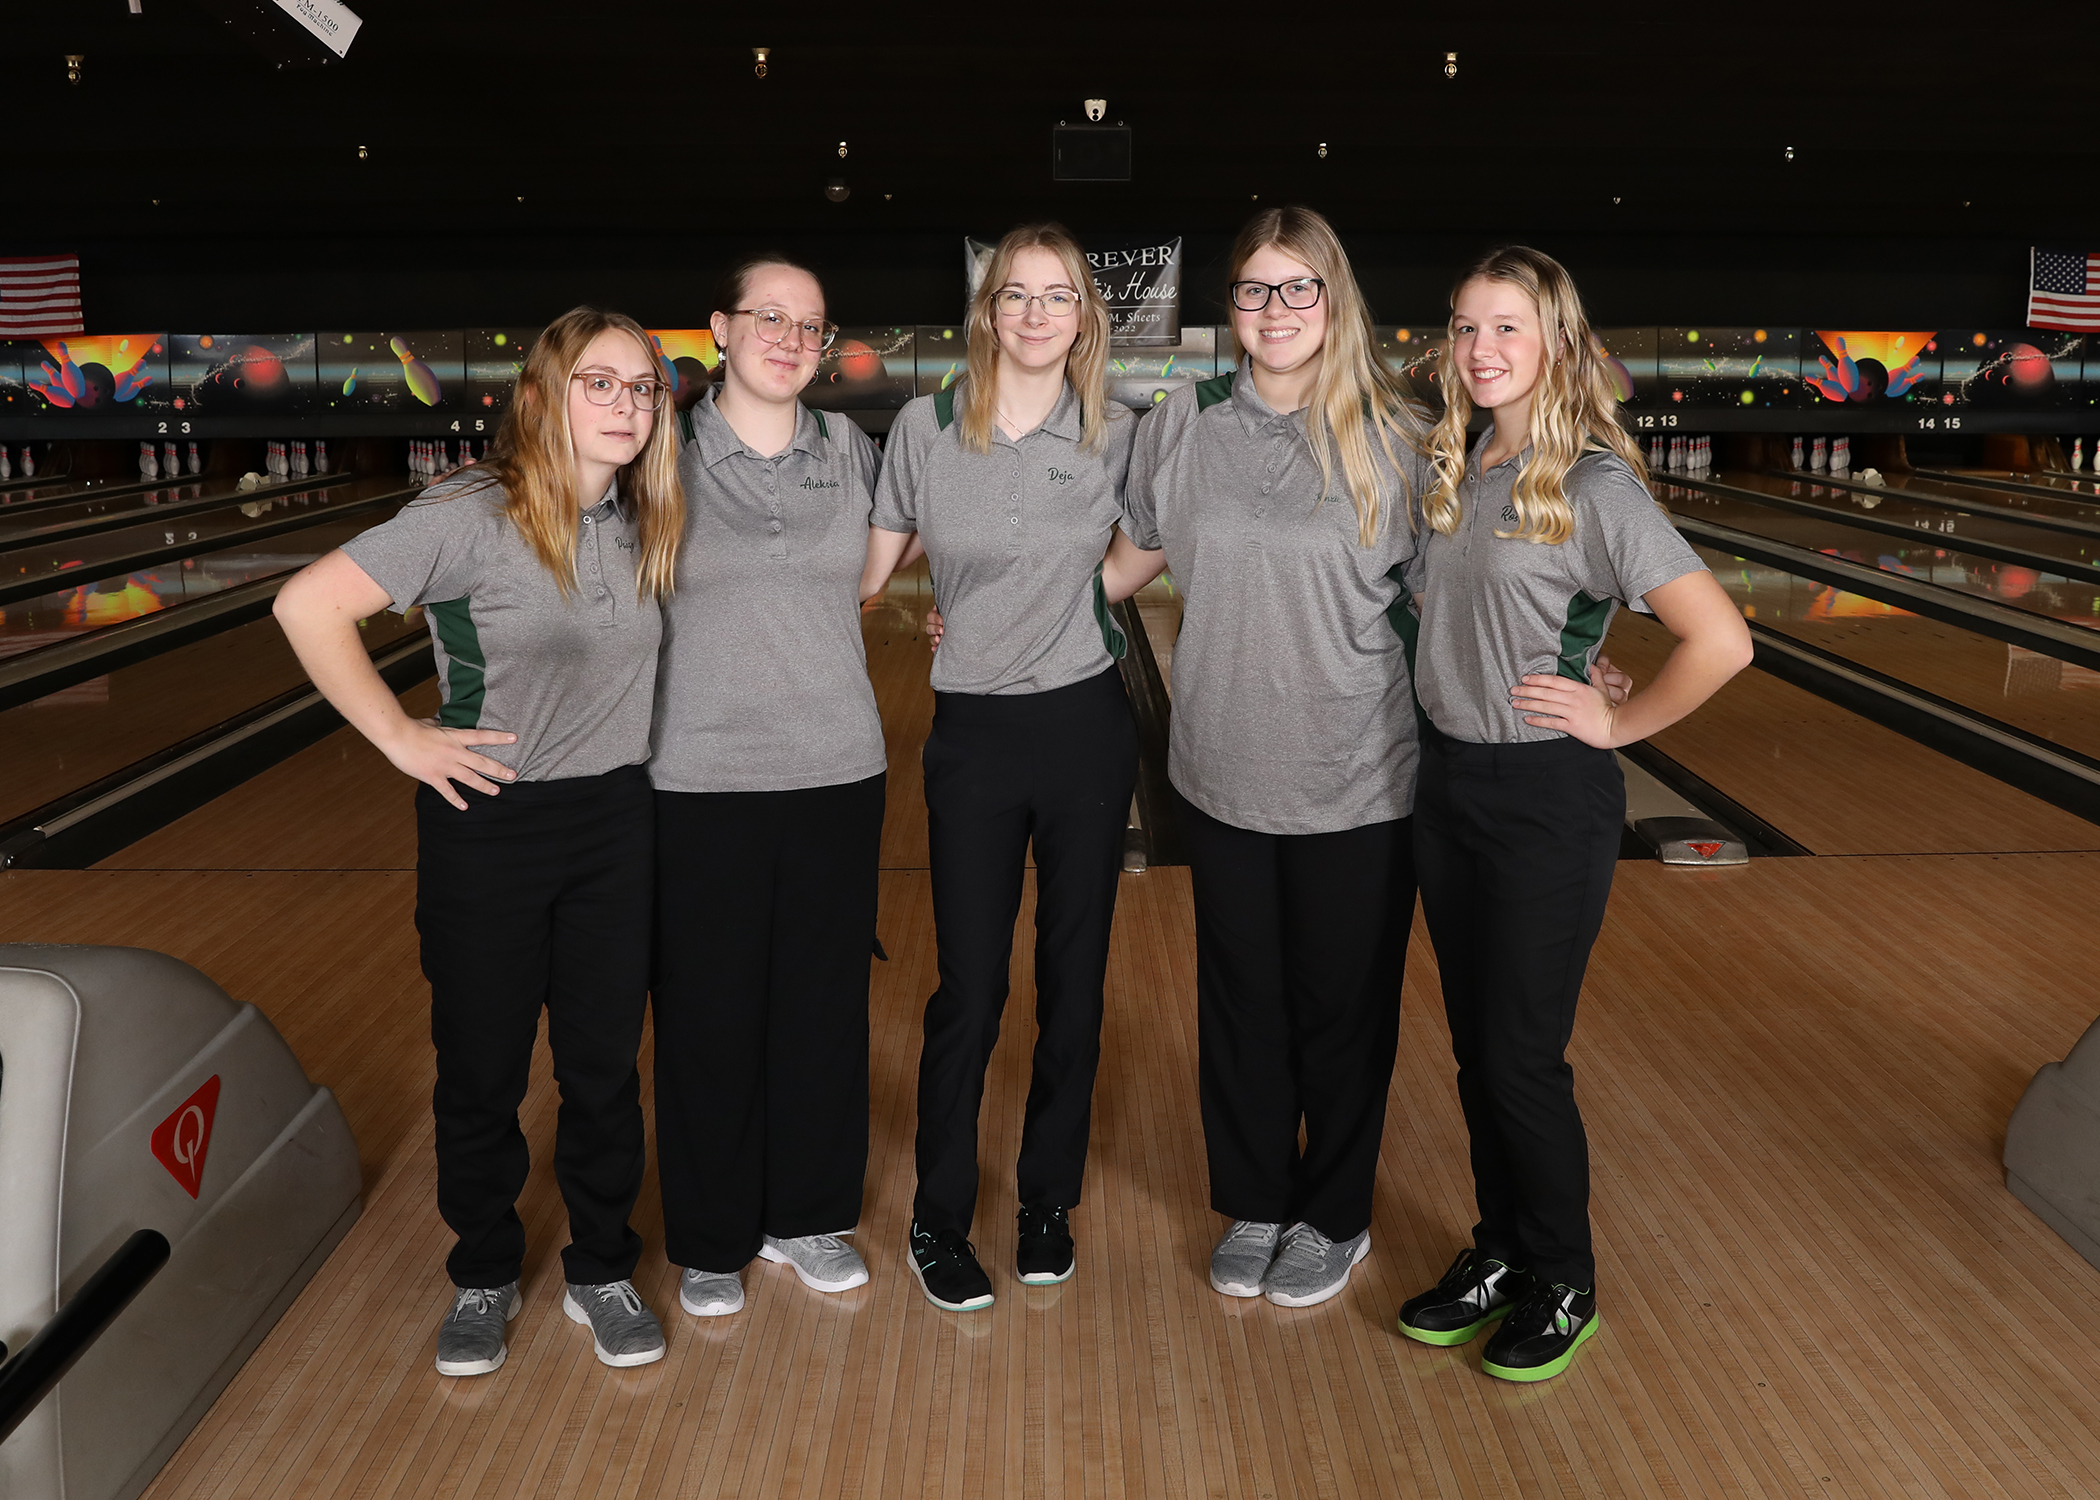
{"x":1496,"y":610}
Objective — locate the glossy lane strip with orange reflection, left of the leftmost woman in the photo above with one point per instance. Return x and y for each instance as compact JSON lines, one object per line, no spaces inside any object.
{"x":93,"y":604}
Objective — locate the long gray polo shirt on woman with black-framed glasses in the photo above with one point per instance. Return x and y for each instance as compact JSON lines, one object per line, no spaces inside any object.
{"x":1293,"y":707}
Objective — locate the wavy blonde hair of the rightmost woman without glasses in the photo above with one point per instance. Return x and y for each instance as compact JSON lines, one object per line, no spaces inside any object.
{"x":1574,"y":407}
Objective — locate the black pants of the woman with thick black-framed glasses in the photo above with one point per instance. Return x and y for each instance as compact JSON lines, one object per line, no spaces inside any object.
{"x":1301,"y":944}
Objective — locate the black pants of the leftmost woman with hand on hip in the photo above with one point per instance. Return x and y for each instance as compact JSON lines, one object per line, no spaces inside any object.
{"x":539,"y":898}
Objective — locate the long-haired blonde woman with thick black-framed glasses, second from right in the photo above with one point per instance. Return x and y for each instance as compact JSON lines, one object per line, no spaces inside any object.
{"x":1284,"y":501}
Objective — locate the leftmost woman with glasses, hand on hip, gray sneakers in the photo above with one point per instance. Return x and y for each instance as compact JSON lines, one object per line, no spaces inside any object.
{"x":541,"y":572}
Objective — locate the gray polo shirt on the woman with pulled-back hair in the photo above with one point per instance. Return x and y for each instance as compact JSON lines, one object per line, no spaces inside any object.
{"x":763,"y":686}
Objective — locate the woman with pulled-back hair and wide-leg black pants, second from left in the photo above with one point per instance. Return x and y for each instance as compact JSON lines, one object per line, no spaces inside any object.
{"x":770,"y":778}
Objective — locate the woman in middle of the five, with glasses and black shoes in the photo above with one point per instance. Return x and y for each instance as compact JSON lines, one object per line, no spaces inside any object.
{"x":1013,"y":482}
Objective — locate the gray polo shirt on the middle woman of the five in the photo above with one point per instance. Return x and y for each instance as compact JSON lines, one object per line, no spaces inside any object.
{"x":1013,"y":541}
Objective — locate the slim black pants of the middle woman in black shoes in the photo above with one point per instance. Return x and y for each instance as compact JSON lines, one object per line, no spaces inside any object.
{"x":1001,"y":772}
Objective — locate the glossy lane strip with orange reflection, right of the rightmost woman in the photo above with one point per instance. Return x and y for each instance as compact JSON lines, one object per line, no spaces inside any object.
{"x":1937,"y":562}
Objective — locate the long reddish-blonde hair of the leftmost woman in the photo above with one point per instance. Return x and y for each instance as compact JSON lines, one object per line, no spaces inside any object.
{"x":534,"y":461}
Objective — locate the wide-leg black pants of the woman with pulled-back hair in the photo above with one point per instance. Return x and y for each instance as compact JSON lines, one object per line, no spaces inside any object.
{"x":765,"y":932}
